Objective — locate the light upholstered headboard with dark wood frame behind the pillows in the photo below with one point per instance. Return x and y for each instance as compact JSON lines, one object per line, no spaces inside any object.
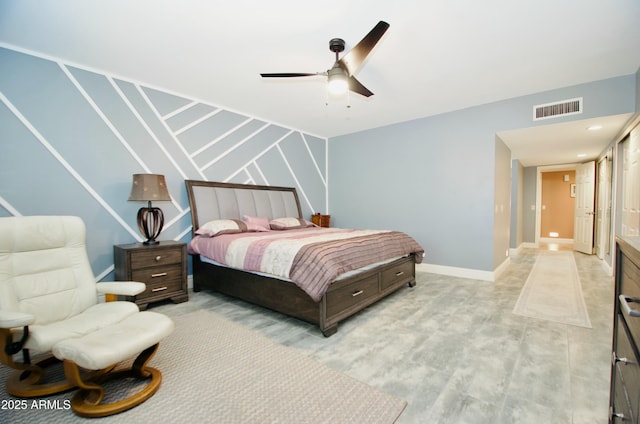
{"x":212,"y":200}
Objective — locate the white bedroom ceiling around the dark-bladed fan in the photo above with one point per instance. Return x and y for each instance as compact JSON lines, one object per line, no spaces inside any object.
{"x":435,"y":57}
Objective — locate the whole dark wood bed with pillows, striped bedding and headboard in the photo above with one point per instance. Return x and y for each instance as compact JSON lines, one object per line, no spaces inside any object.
{"x":232,"y":212}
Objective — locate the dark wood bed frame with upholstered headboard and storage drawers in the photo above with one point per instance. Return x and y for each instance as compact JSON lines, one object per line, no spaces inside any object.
{"x":345,"y":297}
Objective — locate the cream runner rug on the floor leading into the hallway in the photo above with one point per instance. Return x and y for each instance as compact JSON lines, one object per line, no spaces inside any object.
{"x":553,"y":291}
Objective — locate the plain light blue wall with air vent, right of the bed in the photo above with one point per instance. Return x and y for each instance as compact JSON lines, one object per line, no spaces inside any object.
{"x":434,"y":177}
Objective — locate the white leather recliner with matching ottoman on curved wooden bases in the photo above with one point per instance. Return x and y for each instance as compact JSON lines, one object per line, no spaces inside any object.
{"x":49,"y":304}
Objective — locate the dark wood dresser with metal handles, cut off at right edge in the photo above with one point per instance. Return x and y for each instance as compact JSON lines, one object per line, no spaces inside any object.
{"x":624,"y":401}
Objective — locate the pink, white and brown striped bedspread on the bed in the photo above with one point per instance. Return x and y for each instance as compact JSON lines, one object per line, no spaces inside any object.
{"x":312,"y":257}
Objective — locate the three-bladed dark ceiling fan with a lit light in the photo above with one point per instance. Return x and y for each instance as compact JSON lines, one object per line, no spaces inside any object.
{"x":340,"y":76}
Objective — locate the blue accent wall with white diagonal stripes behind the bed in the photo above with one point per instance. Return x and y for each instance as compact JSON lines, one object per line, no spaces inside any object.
{"x":71,"y":138}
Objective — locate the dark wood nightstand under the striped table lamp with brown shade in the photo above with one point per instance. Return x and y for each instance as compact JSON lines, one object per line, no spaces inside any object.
{"x":162,"y":267}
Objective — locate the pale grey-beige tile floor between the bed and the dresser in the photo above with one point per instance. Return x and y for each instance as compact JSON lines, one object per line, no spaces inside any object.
{"x":452,"y":348}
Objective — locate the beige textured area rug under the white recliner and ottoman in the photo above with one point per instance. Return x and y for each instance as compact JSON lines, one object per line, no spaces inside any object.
{"x":215,"y":371}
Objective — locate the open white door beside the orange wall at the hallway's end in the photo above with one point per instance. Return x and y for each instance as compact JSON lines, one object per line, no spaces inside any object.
{"x":583,"y":220}
